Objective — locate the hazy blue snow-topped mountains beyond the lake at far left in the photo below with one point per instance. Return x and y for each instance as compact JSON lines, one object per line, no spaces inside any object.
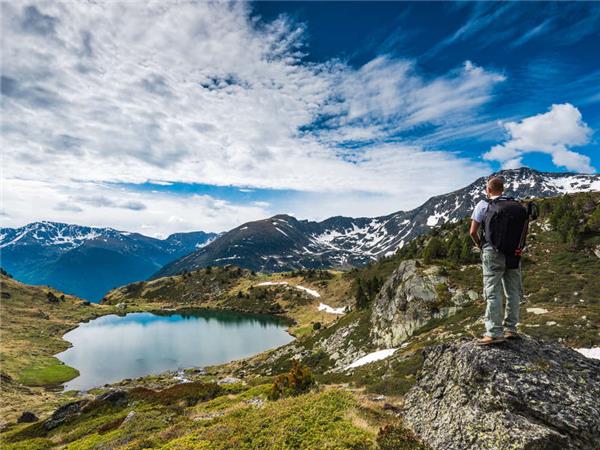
{"x":88,"y":261}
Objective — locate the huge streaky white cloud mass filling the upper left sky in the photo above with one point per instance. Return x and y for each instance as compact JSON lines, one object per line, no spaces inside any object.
{"x":202,"y":92}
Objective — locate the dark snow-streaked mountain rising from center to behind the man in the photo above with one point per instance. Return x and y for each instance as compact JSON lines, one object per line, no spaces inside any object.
{"x":283,"y":242}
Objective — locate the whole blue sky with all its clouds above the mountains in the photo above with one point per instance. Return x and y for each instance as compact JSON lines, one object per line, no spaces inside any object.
{"x":165,"y":117}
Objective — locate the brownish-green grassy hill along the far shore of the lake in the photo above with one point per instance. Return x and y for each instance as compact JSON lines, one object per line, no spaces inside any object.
{"x":232,"y":288}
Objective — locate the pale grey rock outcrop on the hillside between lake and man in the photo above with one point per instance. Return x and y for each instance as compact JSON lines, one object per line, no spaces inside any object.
{"x":409,"y":299}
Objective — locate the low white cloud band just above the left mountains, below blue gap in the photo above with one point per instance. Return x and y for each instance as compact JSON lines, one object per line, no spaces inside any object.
{"x":108,"y":206}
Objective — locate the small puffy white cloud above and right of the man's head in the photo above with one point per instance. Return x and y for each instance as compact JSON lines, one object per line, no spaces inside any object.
{"x":553,"y":133}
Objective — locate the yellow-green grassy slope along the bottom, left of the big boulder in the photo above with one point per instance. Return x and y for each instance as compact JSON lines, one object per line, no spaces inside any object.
{"x":237,"y":416}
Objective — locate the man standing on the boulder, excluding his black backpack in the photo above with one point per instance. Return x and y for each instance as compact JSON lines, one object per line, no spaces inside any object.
{"x":498,"y":279}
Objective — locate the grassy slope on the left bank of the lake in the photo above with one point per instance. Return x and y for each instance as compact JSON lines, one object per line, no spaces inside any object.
{"x":32,"y":328}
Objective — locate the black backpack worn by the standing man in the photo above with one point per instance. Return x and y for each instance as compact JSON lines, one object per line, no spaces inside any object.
{"x":505,"y":227}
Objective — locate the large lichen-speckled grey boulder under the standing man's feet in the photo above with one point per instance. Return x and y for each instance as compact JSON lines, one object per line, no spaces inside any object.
{"x":522,"y":394}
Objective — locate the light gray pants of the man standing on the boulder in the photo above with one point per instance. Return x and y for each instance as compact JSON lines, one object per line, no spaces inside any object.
{"x":498,"y":280}
